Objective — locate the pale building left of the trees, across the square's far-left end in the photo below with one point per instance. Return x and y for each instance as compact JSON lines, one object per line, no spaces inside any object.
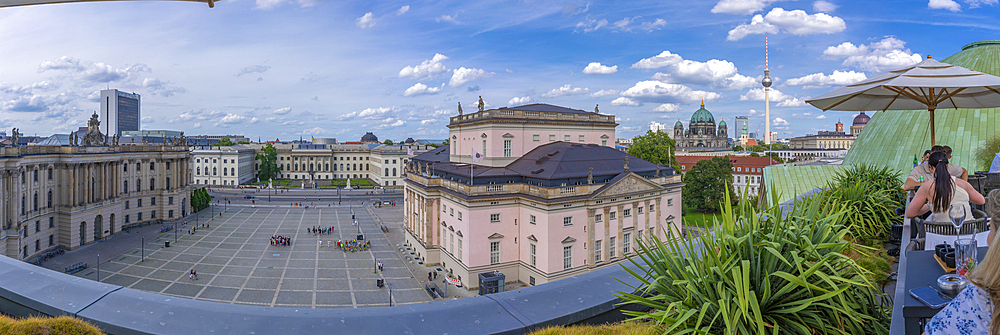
{"x":220,"y":165}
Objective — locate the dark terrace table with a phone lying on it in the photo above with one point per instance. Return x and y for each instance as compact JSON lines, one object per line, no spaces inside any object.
{"x":922,"y":270}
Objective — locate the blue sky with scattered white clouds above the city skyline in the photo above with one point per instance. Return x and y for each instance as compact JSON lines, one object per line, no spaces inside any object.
{"x":285,"y":69}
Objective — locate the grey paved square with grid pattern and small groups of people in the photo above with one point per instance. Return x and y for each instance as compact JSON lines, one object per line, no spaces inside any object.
{"x":236,"y":263}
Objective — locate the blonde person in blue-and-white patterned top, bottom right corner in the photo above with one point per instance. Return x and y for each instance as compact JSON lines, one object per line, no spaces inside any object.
{"x":972,"y":312}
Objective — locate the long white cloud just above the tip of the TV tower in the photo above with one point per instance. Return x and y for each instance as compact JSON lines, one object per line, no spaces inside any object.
{"x":796,"y":22}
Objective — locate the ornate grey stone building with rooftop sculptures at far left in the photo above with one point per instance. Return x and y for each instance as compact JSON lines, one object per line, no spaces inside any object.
{"x":71,"y":195}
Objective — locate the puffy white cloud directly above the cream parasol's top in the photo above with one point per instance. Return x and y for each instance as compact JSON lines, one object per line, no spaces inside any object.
{"x":889,"y":53}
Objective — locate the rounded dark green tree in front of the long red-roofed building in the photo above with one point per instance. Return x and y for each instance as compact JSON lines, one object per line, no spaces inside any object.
{"x":707,"y":183}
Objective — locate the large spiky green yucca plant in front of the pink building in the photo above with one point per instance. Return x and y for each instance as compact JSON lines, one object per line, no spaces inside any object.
{"x":759,"y":272}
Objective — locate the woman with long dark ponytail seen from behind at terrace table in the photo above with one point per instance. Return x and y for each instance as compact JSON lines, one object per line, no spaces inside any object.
{"x":938,"y":194}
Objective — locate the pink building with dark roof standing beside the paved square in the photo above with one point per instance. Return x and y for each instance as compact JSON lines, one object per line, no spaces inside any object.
{"x":551,"y":199}
